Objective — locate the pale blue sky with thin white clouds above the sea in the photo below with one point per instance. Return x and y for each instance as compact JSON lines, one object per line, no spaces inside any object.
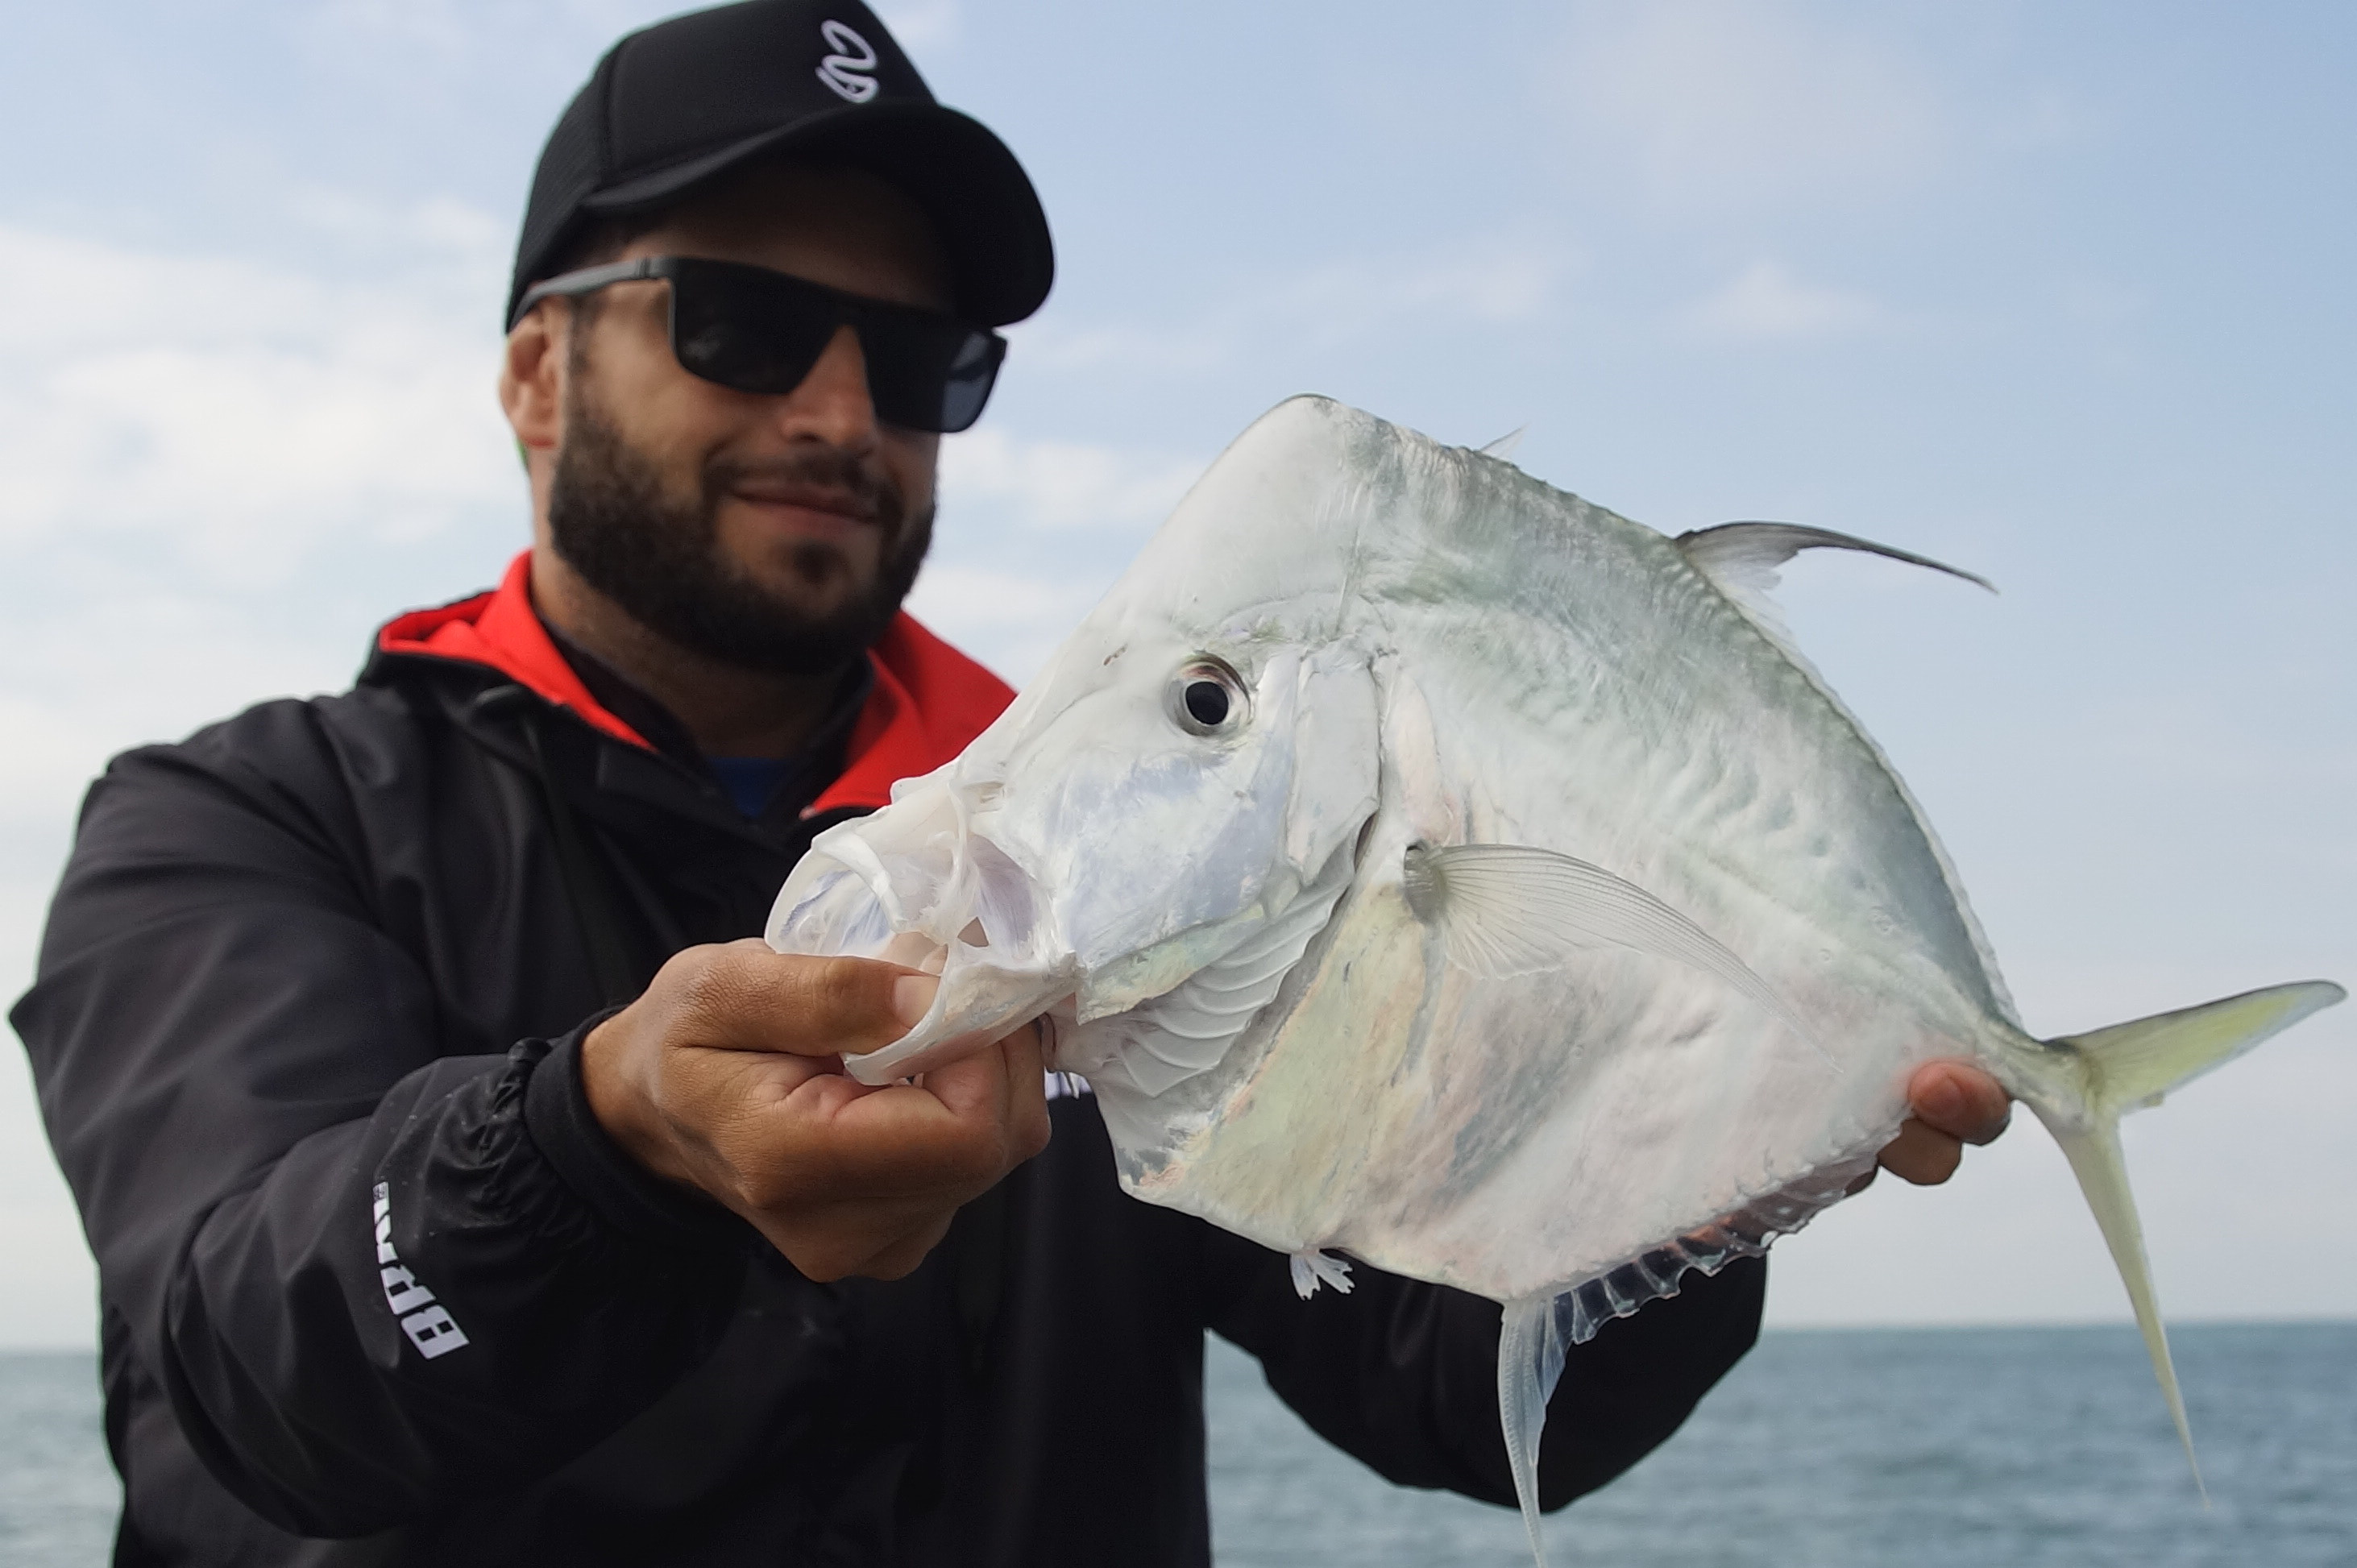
{"x":2056,"y":294}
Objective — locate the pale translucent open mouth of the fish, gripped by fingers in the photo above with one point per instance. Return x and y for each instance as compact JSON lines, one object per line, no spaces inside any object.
{"x":923,"y":885}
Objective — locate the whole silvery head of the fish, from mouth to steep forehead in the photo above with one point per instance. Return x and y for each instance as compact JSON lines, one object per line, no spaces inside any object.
{"x":1191,"y":767}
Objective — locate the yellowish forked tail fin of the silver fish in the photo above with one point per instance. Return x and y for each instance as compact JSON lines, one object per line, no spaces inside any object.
{"x":2127,"y":1069}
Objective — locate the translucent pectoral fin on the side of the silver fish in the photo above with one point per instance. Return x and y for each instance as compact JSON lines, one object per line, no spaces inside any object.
{"x":1512,"y":909}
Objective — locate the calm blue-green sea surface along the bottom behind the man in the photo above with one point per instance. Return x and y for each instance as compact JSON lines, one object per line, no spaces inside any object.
{"x":1828,"y":1449}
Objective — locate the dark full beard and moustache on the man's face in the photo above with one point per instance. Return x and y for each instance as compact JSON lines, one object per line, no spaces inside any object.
{"x":659,"y":558}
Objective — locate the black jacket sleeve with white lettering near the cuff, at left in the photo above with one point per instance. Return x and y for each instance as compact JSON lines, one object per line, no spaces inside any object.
{"x":374,"y":1279}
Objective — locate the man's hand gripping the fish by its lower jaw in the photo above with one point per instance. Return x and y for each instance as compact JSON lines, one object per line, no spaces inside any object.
{"x":727,"y":1076}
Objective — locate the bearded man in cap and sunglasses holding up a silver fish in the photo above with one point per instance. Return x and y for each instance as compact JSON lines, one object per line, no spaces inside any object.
{"x":463,"y":1194}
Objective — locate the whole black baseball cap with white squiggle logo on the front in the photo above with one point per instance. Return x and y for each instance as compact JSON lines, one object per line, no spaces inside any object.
{"x":687,"y":100}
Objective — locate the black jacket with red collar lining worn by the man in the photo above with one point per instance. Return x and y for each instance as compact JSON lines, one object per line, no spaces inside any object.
{"x":308,"y":1046}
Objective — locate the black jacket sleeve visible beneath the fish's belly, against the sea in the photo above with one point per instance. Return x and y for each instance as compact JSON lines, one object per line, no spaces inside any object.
{"x":1404,"y":1376}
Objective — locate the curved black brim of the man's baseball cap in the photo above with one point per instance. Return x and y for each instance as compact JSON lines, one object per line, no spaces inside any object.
{"x":960,"y":176}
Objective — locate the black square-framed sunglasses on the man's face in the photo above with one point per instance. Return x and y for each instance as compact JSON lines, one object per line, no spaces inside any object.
{"x":762,"y":331}
